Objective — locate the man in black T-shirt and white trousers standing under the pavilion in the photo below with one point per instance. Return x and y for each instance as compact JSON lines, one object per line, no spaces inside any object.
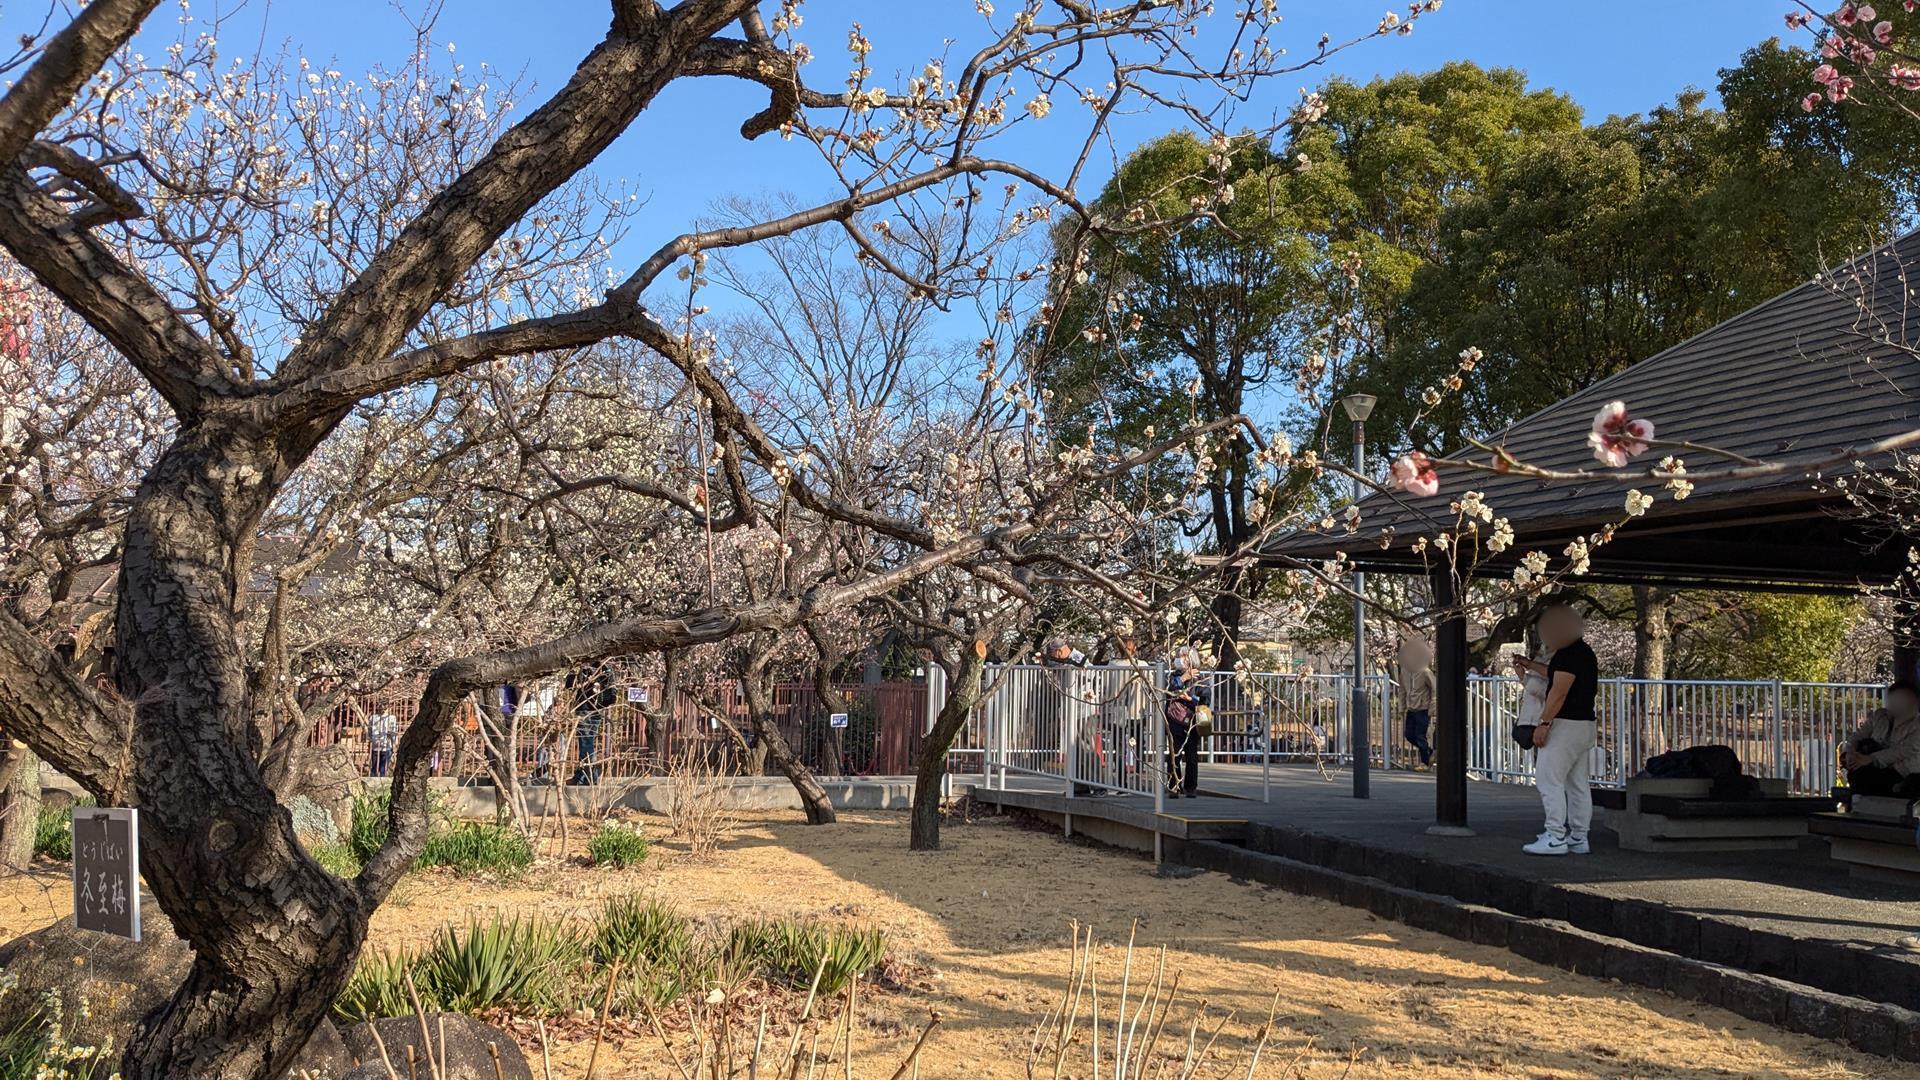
{"x":1566,"y":733}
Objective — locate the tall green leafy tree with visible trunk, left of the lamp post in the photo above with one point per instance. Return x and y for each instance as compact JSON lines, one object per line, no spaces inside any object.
{"x":1166,"y":328}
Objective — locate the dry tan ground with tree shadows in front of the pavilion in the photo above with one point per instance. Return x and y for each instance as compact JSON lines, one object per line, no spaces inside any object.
{"x":984,"y":929}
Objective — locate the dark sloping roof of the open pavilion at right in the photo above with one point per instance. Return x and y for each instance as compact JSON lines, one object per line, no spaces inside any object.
{"x":1813,"y":372}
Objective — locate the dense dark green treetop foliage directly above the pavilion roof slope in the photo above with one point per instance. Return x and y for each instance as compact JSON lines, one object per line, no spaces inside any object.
{"x":1543,"y":262}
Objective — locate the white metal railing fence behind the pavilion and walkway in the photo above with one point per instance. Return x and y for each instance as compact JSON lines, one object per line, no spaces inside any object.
{"x":1099,"y":727}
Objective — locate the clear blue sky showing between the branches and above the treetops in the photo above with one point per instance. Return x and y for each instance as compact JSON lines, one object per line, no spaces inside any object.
{"x":1612,"y":57}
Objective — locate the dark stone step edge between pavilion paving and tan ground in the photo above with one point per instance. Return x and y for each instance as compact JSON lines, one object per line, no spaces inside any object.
{"x":1873,"y":1027}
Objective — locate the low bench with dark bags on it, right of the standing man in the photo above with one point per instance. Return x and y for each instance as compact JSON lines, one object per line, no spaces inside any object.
{"x":1668,"y":816}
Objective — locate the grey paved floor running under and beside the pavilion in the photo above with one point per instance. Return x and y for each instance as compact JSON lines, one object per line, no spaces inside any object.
{"x":1802,"y":893}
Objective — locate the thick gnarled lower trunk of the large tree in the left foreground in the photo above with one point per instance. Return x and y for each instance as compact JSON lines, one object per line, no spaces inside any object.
{"x":274,"y":935}
